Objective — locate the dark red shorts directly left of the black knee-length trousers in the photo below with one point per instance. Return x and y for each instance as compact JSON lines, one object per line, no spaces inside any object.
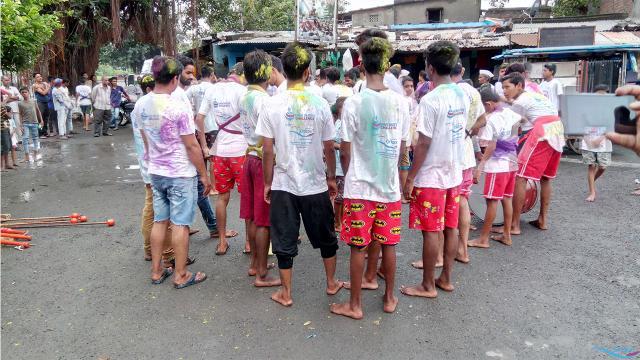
{"x":252,"y":204}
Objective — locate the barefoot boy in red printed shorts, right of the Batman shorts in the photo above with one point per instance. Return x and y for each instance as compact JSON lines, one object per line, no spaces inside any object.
{"x":437,"y":168}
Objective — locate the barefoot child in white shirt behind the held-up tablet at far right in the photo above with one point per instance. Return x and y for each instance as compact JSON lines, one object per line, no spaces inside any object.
{"x":596,"y":151}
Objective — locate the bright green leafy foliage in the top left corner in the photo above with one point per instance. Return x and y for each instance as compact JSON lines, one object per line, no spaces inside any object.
{"x":27,"y":25}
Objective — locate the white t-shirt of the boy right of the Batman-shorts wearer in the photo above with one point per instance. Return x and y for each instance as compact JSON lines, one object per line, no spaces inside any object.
{"x":442,"y":117}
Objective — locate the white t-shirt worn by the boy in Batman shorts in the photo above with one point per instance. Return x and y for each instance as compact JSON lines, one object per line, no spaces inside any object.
{"x":376,"y":124}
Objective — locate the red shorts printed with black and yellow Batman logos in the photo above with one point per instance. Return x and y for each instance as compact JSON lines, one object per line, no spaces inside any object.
{"x":365,"y":220}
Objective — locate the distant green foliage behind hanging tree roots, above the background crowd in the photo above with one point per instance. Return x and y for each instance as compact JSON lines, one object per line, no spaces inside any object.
{"x":130,"y":56}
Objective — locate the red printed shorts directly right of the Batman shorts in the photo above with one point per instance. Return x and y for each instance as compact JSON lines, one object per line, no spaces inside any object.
{"x":434,"y":209}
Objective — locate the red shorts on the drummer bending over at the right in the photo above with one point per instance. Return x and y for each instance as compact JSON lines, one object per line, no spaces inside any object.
{"x":543,"y":160}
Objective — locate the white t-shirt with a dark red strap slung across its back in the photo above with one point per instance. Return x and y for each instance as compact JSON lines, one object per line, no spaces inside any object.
{"x":222,"y":100}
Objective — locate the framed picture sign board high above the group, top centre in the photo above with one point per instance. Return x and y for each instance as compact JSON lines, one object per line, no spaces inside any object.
{"x":316,"y":21}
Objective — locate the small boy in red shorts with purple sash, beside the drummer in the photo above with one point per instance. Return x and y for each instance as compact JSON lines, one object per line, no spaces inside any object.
{"x":499,"y":164}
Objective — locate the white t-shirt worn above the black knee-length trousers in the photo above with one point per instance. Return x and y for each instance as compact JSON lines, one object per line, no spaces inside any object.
{"x":299,"y":122}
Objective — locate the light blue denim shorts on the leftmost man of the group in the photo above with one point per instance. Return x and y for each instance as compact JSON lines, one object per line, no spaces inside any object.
{"x":174,"y":199}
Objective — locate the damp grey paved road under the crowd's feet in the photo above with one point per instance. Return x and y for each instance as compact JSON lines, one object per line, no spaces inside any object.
{"x":84,"y":293}
